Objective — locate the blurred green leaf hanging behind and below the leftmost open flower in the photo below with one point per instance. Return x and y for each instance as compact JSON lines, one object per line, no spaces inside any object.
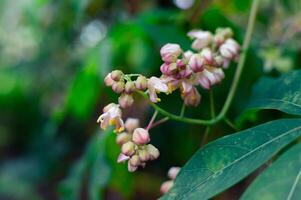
{"x":93,"y":161}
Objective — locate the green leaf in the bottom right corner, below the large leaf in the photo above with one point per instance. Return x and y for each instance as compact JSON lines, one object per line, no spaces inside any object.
{"x":282,"y":180}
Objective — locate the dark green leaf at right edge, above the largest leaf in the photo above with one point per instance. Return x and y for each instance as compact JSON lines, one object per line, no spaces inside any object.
{"x":283,"y":93}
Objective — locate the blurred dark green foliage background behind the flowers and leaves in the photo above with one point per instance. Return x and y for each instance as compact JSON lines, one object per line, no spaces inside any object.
{"x":53,"y":58}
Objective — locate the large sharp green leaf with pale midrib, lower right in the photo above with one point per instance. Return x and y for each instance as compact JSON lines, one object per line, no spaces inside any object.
{"x":225,"y":161}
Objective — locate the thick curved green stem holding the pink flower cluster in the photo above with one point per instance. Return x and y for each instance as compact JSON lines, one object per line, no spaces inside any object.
{"x":235,"y":81}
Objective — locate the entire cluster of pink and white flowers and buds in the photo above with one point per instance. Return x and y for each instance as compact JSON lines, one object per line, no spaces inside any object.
{"x":184,"y":70}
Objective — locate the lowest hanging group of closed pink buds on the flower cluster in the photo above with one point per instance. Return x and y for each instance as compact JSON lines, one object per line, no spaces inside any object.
{"x":134,"y":146}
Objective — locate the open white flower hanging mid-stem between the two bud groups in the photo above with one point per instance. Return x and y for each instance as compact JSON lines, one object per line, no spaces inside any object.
{"x":156,"y":85}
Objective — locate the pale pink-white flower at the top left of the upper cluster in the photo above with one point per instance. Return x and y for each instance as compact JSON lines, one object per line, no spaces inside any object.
{"x":202,"y":39}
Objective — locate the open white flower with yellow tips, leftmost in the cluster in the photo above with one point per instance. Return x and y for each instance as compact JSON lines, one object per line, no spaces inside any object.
{"x":111,"y":116}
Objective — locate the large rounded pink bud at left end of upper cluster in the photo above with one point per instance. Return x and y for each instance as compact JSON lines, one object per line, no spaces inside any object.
{"x":170,"y":52}
